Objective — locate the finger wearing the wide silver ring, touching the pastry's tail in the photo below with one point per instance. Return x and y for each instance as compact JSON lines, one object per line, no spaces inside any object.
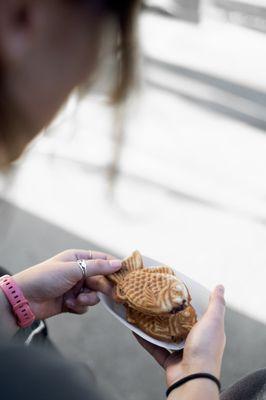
{"x":96,"y":267}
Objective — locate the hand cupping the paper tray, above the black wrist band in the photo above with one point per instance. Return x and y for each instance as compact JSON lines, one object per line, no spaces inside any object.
{"x":204,"y":346}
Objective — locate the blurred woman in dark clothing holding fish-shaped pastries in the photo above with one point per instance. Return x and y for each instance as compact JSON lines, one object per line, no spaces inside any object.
{"x":48,"y":48}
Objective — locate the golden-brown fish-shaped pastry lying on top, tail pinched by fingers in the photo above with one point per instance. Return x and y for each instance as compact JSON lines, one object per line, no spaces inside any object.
{"x":152,"y":291}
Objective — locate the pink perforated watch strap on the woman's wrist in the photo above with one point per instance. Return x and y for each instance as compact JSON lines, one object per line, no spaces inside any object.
{"x":19,"y":304}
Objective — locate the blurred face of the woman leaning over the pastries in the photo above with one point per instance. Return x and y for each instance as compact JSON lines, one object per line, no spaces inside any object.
{"x":47,"y":48}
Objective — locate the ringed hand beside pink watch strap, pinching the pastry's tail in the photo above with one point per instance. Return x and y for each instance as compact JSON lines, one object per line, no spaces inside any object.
{"x":57,"y":285}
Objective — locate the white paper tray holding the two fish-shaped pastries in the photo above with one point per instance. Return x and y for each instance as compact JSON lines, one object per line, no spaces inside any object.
{"x":199,"y":294}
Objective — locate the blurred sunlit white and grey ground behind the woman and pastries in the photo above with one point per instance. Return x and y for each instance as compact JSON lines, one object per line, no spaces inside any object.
{"x":178,"y":173}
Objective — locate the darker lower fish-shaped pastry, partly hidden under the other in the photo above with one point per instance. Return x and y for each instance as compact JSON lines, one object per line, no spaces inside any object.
{"x":172,"y":328}
